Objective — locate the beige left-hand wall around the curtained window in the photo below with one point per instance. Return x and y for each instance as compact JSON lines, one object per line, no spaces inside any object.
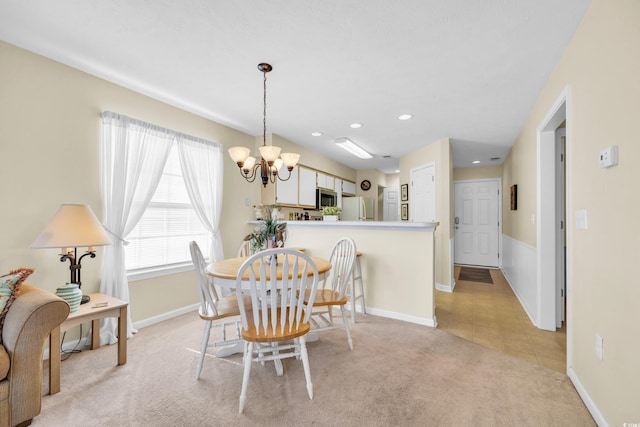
{"x":50,"y":150}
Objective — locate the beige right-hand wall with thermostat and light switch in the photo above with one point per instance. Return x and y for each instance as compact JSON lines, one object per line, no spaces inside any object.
{"x":601,"y":68}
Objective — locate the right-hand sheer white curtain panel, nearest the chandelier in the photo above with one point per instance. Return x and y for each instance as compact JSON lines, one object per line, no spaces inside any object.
{"x":201,"y":163}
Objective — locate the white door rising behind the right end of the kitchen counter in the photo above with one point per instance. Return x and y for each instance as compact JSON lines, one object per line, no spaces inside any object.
{"x":423,"y":194}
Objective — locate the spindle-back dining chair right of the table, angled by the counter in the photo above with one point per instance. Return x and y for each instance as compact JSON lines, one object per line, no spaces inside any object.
{"x":332,"y":290}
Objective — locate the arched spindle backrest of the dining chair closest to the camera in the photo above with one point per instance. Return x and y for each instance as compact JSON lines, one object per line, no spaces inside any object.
{"x":277,"y":305}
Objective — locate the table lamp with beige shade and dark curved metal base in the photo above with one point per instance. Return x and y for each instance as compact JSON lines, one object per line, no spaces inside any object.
{"x":71,"y":227}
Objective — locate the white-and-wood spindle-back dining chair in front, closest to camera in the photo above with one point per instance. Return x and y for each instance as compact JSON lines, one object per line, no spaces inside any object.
{"x":276,"y":319}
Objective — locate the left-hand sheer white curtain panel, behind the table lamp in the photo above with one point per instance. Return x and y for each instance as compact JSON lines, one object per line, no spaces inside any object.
{"x":134,"y":154}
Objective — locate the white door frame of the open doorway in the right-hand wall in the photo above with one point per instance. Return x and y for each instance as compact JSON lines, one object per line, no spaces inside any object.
{"x":547,"y":229}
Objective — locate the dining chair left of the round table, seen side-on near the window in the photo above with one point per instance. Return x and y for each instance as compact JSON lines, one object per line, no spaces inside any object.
{"x":213,"y":309}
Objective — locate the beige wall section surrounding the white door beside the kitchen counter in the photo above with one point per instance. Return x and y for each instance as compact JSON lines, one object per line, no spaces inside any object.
{"x":438,"y":152}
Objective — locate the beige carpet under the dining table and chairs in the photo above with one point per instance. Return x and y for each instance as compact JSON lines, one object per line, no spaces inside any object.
{"x":398,"y":374}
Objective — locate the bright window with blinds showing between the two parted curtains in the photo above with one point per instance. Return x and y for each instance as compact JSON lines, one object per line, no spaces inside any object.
{"x":160,"y":241}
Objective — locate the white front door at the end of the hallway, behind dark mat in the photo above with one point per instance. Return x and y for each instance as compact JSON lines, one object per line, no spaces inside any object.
{"x":477,"y":222}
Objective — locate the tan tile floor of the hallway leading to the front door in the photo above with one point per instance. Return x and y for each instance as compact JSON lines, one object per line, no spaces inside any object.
{"x":491,"y":315}
